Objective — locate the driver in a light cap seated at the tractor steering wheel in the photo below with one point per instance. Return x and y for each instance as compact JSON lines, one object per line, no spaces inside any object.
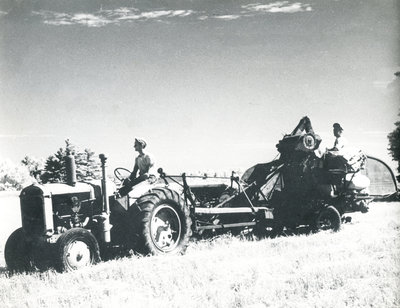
{"x":143,"y":164}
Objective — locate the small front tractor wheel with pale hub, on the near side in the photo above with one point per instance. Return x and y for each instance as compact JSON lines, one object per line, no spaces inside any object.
{"x":76,"y":249}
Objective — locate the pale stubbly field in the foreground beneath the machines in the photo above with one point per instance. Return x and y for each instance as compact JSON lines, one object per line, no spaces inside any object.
{"x":356,"y":267}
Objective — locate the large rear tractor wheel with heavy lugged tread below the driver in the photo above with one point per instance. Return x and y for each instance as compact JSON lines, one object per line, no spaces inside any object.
{"x":163,"y":224}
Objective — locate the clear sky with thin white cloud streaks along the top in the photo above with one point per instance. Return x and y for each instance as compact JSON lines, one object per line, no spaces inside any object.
{"x":210,"y":85}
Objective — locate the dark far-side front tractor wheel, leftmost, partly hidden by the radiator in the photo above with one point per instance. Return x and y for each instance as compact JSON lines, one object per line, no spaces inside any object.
{"x":17,"y":252}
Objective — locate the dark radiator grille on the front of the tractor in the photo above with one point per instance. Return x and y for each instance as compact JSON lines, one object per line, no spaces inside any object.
{"x":32,"y":211}
